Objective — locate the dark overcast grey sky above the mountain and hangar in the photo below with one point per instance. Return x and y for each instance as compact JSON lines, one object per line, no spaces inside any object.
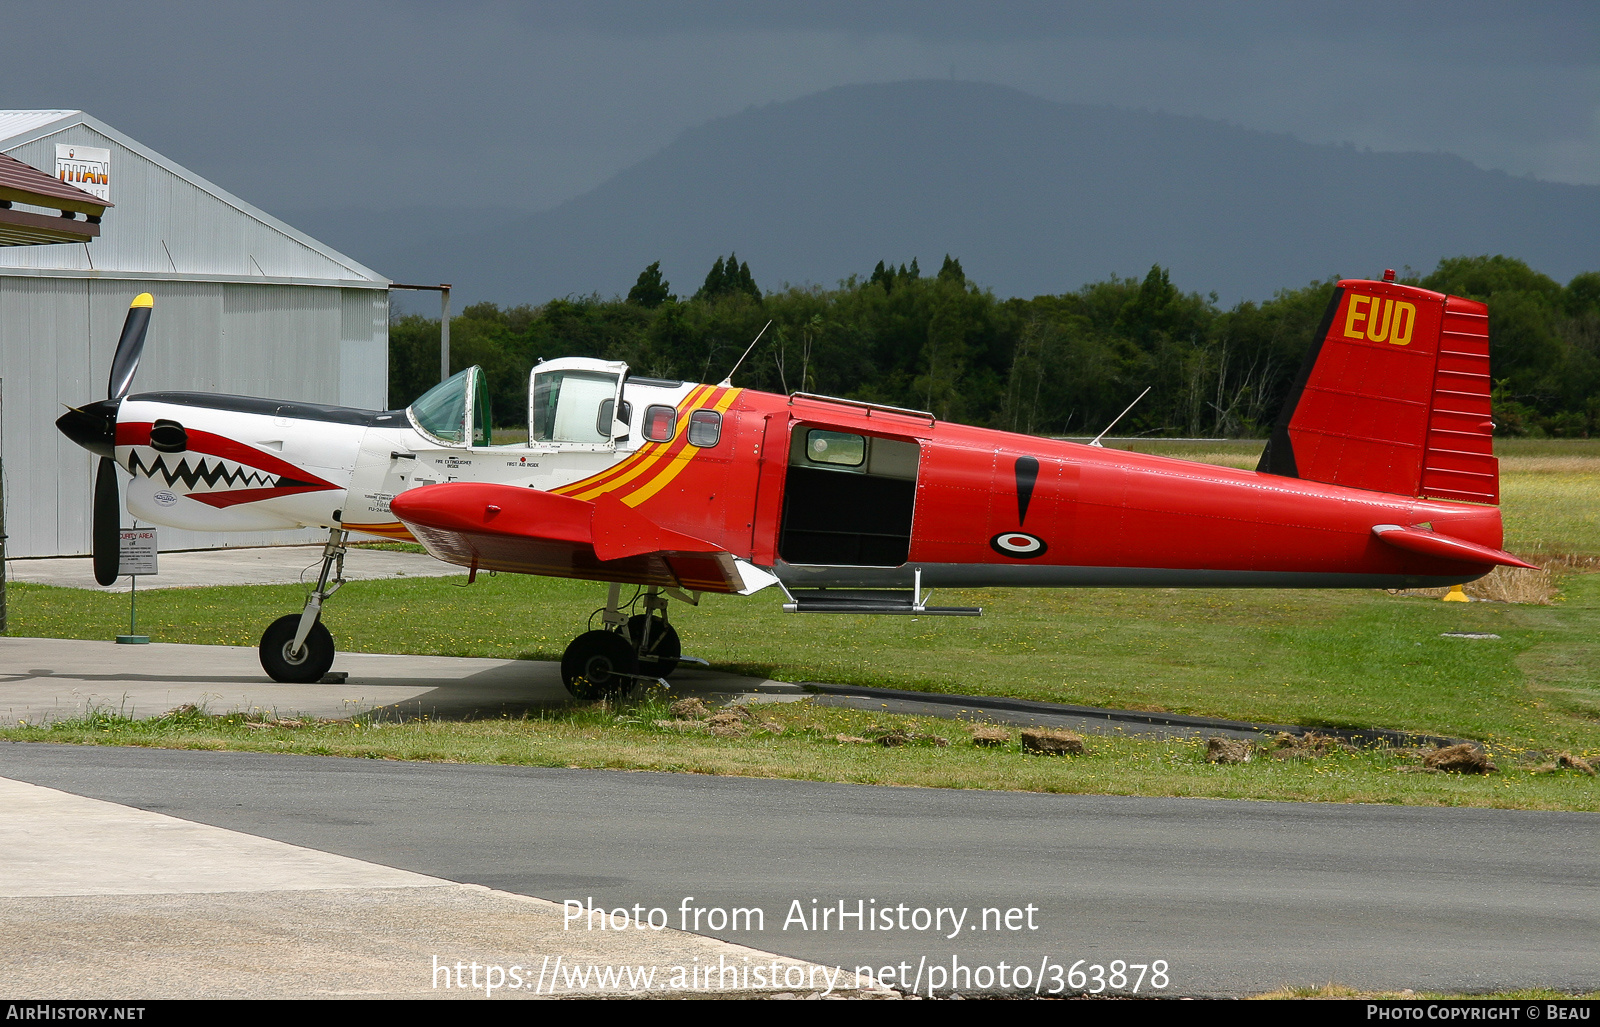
{"x":319,"y":105}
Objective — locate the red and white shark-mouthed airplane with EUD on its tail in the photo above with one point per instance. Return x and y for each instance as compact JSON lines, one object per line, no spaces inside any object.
{"x":1380,"y":473}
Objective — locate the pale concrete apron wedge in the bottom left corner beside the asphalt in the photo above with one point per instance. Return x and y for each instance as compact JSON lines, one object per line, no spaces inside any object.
{"x":106,"y":901}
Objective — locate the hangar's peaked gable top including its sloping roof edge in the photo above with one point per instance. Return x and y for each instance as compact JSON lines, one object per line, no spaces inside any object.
{"x":170,"y":223}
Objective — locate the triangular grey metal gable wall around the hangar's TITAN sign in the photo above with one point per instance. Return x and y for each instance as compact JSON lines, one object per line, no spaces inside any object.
{"x":162,"y":223}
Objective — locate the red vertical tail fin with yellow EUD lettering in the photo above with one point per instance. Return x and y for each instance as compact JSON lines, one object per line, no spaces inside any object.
{"x":1394,"y":398}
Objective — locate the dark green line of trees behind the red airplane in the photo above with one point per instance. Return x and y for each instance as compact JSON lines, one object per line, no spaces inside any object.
{"x":1052,"y":366}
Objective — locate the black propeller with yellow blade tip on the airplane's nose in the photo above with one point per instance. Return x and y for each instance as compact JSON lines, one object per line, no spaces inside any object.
{"x":95,"y":430}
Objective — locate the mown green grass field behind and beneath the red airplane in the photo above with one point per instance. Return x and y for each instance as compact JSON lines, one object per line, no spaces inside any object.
{"x":1316,"y":658}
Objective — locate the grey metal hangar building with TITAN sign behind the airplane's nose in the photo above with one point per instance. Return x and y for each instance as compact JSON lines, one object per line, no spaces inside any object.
{"x":244,"y":306}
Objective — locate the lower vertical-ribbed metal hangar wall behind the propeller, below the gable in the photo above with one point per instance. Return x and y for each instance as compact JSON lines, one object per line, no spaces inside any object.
{"x":57,"y":342}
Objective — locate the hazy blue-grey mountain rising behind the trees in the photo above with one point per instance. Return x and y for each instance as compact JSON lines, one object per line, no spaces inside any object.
{"x":1031,"y":196}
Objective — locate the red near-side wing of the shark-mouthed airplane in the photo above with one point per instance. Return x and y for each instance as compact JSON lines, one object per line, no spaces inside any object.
{"x":527,"y":532}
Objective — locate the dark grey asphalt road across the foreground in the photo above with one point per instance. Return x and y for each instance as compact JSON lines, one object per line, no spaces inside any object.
{"x":1234,"y":897}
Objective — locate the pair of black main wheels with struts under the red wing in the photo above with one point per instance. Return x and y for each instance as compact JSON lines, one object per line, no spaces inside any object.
{"x":626,"y":650}
